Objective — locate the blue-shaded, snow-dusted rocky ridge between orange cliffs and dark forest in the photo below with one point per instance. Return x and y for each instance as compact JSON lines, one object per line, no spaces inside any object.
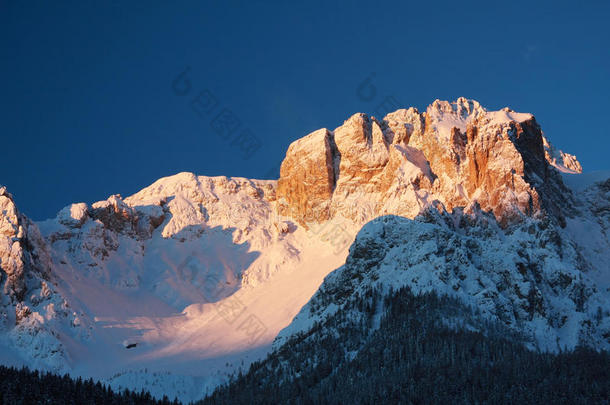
{"x":533,"y":277}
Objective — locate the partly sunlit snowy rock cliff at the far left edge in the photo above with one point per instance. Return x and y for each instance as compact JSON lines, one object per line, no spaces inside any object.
{"x":31,"y":308}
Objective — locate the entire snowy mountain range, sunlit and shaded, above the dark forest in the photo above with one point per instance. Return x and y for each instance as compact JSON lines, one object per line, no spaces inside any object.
{"x":174,"y":288}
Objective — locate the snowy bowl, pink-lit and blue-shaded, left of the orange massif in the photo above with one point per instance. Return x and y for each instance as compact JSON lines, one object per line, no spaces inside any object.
{"x":205,"y":294}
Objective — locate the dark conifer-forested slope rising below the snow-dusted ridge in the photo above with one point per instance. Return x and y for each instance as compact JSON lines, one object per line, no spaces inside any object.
{"x":426,"y":349}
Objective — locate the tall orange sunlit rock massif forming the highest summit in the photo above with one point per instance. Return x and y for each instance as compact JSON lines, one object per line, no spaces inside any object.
{"x":453,"y":155}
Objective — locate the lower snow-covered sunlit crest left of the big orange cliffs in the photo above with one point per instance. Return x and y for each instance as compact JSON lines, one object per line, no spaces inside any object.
{"x":182,"y":203}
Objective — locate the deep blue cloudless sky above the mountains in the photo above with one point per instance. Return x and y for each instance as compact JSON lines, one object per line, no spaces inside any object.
{"x":88,"y":108}
